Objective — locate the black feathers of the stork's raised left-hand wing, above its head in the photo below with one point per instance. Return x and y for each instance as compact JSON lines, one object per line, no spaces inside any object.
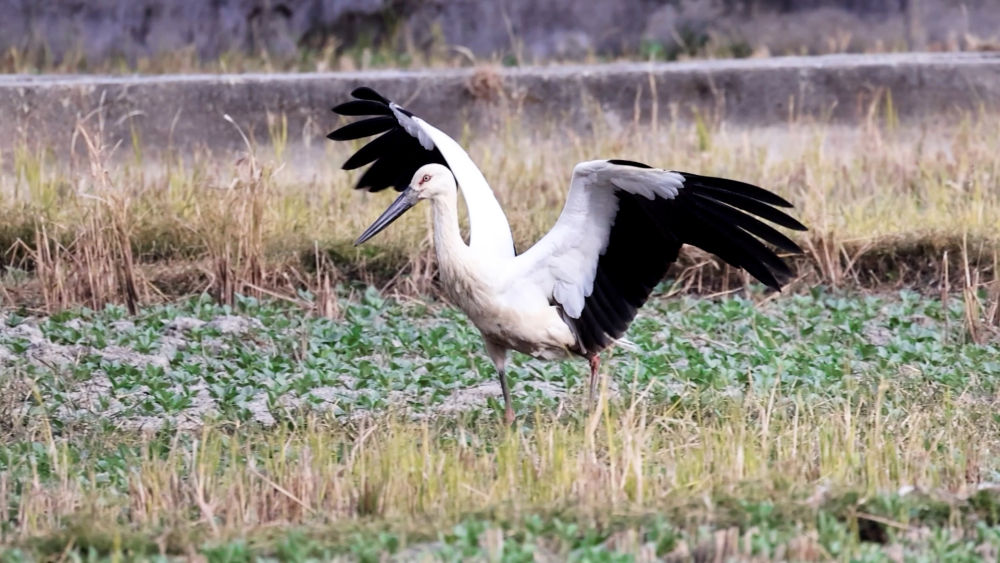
{"x":394,"y":155}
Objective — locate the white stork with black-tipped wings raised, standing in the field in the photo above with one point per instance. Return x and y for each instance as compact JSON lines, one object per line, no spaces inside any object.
{"x":578,"y":288}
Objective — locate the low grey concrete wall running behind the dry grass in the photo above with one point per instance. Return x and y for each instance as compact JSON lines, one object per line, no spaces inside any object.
{"x":187,"y":111}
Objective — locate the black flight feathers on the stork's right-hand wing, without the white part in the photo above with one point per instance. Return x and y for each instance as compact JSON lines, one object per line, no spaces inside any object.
{"x":717,"y":215}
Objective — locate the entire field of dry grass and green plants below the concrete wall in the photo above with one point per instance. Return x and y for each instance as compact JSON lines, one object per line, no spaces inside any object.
{"x":195,"y":362}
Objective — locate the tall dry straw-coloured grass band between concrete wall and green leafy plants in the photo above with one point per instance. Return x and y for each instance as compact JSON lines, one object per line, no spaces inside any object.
{"x":886,"y":203}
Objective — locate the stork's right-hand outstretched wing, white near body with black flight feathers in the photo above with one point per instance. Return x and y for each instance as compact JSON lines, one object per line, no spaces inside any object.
{"x":623,"y":225}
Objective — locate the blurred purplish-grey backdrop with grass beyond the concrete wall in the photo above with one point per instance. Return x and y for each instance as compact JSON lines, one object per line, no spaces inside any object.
{"x":319,"y":35}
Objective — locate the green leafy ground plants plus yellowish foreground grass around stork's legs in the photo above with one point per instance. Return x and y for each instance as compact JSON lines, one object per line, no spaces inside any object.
{"x":807,"y":426}
